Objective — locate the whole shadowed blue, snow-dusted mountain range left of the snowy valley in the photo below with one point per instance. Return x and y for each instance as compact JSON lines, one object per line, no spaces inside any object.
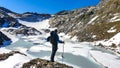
{"x":10,"y":22}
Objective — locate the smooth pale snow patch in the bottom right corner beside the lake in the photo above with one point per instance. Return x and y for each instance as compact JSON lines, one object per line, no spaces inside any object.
{"x":107,"y":60}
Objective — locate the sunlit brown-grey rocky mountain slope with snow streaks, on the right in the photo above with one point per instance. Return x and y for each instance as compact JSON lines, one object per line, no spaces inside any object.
{"x":91,"y":23}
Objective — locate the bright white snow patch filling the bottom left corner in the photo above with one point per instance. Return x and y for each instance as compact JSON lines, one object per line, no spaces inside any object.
{"x":15,"y":61}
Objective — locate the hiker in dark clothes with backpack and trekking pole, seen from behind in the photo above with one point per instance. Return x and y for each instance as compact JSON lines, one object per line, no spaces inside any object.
{"x":54,"y":39}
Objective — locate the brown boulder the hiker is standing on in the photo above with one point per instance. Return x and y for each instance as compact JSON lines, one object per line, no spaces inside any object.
{"x":40,"y":63}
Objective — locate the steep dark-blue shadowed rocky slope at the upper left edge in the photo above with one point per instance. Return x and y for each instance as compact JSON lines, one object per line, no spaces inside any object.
{"x":7,"y":19}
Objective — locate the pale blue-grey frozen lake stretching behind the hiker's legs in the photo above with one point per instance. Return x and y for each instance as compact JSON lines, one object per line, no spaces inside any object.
{"x":78,"y":61}
